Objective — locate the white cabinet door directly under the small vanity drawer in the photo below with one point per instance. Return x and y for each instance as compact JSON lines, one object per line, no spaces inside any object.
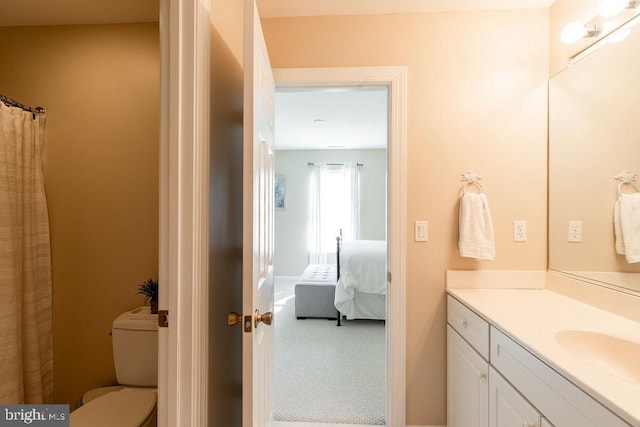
{"x":467,"y":385}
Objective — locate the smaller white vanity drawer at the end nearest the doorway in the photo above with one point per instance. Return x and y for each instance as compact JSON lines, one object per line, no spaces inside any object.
{"x":469,"y":325}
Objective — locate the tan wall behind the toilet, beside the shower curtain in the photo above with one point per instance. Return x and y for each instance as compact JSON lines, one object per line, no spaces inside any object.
{"x":100,"y":86}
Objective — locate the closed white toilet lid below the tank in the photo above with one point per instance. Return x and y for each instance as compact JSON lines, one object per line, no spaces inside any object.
{"x":125,"y":408}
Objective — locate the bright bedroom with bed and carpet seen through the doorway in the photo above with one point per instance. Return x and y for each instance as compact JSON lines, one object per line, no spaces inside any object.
{"x":331,"y":181}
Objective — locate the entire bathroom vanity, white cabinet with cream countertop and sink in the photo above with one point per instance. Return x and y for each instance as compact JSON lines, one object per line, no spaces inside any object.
{"x":536,"y":358}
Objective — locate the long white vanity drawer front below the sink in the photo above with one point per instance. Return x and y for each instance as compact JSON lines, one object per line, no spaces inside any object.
{"x":561,"y":402}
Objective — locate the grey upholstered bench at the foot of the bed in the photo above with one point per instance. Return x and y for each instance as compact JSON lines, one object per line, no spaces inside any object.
{"x":315,"y":300}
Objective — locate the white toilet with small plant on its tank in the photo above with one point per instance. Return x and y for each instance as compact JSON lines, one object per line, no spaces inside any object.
{"x":132,"y":403}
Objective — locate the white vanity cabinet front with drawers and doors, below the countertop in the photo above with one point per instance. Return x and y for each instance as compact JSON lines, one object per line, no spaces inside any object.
{"x":493,"y":381}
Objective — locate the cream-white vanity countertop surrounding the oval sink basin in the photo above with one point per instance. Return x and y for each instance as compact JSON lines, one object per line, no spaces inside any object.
{"x":533,"y":317}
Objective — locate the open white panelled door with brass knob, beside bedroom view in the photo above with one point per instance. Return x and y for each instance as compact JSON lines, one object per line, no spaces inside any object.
{"x":258,"y":211}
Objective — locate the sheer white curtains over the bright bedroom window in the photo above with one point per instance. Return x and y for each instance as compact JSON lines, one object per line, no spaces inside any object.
{"x":335,"y":206}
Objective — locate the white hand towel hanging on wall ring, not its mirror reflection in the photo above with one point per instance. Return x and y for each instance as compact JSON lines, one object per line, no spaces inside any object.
{"x":475,"y":228}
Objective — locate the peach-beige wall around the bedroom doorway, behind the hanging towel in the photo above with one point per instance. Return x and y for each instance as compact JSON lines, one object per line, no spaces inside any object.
{"x":476,"y":101}
